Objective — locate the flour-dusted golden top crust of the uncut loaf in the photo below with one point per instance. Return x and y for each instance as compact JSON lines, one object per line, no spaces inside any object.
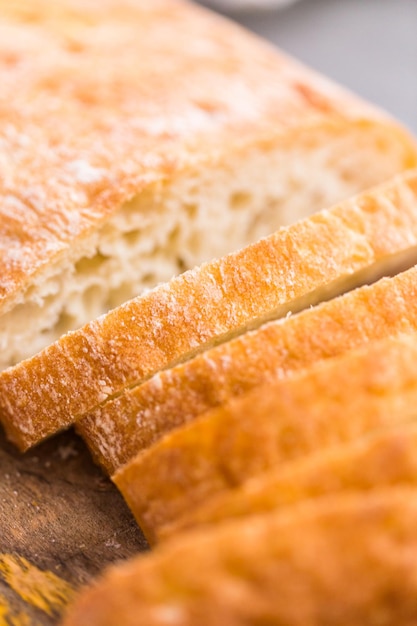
{"x":100,"y":99}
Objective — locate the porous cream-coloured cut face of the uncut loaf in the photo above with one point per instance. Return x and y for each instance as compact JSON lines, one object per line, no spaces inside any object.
{"x":177,"y":224}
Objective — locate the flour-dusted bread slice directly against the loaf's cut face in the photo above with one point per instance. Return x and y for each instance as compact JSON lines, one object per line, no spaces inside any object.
{"x":314,"y":259}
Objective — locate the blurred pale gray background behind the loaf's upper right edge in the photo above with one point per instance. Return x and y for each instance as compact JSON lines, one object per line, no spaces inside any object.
{"x":370,"y":46}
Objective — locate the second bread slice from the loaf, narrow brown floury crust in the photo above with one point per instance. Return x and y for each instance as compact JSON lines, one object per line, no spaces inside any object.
{"x":139,"y":417}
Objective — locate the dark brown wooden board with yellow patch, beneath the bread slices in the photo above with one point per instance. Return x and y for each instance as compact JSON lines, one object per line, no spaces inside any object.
{"x":61,"y":522}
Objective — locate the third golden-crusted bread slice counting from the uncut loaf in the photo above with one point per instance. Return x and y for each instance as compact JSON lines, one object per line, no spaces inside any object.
{"x":329,"y":404}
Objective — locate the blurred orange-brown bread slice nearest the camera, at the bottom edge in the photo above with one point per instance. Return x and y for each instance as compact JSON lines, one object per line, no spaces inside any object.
{"x":339,"y":561}
